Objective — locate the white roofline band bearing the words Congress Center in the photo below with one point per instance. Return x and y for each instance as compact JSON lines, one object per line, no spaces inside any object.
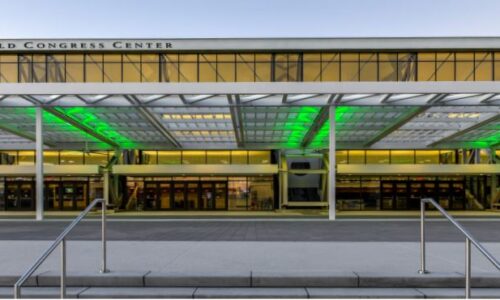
{"x":253,"y":44}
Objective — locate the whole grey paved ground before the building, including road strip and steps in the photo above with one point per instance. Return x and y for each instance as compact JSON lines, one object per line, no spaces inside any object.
{"x":254,"y":258}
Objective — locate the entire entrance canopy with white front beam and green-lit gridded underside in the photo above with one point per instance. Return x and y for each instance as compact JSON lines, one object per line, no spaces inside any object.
{"x":411,"y":115}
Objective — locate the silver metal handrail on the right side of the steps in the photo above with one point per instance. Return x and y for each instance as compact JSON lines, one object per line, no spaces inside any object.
{"x":468,"y":240}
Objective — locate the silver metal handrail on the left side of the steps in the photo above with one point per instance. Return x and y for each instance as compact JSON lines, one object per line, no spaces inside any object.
{"x":61,"y":240}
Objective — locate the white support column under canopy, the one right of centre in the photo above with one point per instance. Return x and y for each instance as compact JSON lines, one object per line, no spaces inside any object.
{"x":332,"y":169}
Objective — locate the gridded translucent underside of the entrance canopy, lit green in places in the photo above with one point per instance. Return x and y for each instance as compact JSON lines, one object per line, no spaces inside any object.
{"x":256,"y":127}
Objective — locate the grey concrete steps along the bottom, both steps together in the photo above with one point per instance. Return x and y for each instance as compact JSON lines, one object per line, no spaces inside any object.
{"x":256,"y":284}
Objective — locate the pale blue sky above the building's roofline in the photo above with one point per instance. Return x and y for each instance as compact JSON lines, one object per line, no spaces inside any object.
{"x":256,"y":18}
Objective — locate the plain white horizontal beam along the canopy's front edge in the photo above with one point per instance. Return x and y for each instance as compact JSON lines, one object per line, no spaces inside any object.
{"x":202,"y":88}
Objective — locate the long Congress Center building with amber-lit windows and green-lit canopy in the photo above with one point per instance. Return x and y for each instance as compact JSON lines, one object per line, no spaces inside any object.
{"x":250,"y":124}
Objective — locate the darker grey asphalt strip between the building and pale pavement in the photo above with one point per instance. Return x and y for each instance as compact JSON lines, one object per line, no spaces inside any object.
{"x":258,"y":230}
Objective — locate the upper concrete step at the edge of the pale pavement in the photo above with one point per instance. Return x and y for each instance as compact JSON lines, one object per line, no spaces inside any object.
{"x":260,"y":278}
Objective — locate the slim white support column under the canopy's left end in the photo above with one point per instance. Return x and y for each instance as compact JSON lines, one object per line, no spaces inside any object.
{"x":39,"y":163}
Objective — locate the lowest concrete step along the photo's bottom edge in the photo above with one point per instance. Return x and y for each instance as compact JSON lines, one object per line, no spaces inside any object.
{"x":285,"y":292}
